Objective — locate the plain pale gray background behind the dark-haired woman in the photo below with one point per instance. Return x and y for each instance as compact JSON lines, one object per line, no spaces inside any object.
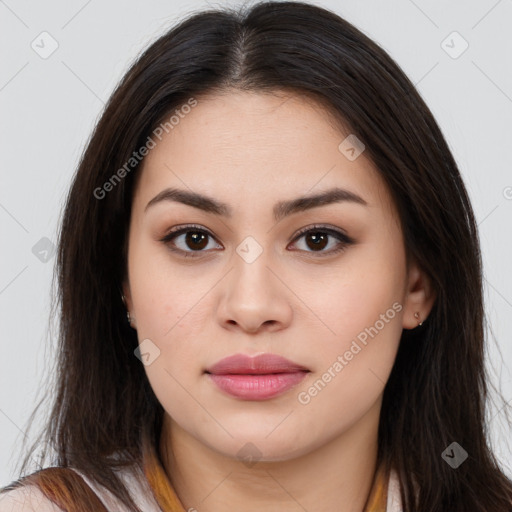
{"x":49,"y":106}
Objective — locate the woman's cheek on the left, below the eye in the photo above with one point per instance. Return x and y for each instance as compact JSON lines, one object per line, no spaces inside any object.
{"x":170,"y":314}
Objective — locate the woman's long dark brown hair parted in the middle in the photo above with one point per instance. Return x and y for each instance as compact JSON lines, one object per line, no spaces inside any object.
{"x":438,"y":389}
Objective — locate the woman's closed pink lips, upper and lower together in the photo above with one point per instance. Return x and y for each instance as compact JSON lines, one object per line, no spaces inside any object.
{"x":256,"y":378}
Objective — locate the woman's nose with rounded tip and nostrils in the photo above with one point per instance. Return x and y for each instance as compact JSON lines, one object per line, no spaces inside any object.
{"x":254,"y":298}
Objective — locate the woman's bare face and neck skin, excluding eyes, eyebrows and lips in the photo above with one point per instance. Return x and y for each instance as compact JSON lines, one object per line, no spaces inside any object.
{"x":251,"y":150}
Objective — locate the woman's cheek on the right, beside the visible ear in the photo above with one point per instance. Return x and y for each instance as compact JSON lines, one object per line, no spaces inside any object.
{"x":361,"y":309}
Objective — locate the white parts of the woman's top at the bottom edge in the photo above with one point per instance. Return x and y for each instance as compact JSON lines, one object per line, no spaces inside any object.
{"x":31,"y":499}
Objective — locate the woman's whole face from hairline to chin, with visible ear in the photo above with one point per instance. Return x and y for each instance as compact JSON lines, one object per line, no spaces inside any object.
{"x":244,"y":278}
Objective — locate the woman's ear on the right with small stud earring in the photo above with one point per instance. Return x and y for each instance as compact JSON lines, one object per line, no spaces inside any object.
{"x":419,"y":297}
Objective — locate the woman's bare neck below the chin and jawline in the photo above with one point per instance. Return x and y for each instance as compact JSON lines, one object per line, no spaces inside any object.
{"x":335,"y":476}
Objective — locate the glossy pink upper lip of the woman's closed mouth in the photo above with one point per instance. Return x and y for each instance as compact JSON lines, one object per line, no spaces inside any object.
{"x":254,"y":365}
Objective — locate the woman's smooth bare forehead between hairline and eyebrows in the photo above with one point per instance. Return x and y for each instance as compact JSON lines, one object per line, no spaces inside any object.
{"x":250,"y":146}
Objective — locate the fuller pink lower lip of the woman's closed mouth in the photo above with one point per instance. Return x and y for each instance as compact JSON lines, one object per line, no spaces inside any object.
{"x":257,"y":387}
